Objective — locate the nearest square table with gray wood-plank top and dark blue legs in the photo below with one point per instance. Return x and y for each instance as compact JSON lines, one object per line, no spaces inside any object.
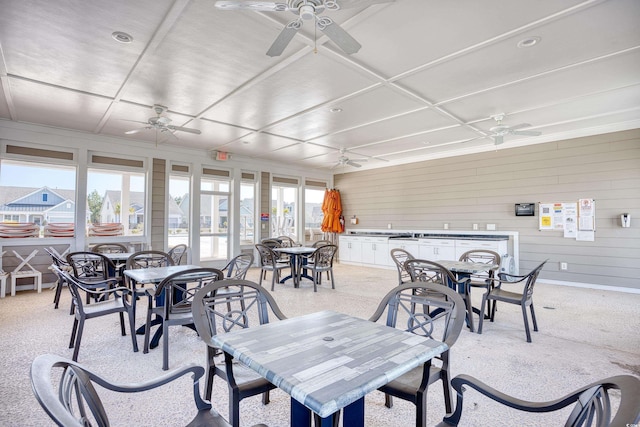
{"x":327,"y":361}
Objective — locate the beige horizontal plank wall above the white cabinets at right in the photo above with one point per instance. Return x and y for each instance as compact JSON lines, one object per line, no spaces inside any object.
{"x":483,"y":188}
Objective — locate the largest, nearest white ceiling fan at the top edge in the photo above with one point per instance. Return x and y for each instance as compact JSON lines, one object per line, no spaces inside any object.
{"x":306,"y":10}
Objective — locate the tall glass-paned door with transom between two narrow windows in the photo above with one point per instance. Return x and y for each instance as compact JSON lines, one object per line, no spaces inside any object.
{"x":214,"y":215}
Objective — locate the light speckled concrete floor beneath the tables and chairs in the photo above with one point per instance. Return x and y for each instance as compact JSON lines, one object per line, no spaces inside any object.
{"x":584,"y":335}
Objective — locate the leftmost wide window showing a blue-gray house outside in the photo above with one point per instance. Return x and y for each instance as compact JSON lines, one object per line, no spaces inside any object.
{"x":38,"y":193}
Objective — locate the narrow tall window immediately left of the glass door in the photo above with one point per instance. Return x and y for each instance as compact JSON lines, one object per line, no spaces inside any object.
{"x":179,"y":210}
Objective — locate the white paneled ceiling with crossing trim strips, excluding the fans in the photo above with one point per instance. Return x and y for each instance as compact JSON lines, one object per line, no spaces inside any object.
{"x":428,"y":79}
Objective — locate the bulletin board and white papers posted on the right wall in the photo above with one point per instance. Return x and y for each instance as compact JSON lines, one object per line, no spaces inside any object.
{"x":575,"y":220}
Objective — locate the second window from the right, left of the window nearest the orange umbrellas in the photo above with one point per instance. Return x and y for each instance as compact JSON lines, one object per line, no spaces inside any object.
{"x":284,"y":199}
